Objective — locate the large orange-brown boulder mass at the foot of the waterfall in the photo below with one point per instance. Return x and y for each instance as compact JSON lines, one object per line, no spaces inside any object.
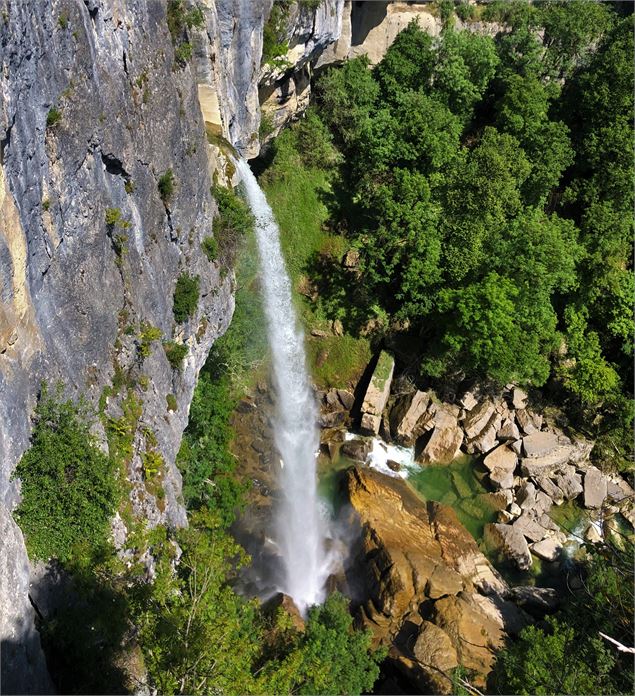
{"x":423,"y":572}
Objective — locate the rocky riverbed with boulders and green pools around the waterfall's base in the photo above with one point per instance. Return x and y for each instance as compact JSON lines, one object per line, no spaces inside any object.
{"x":428,"y":589}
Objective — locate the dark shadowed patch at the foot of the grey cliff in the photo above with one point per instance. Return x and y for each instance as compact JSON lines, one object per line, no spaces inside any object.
{"x":85,"y":632}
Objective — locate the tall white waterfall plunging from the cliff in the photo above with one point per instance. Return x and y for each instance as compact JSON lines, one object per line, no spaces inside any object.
{"x":299,"y":525}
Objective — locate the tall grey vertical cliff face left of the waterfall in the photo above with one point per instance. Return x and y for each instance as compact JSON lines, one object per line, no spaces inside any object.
{"x":75,"y":291}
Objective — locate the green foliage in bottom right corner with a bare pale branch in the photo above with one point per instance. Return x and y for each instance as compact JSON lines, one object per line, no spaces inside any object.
{"x":567,"y":655}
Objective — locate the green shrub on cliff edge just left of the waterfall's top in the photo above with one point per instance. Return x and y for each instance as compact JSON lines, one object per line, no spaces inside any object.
{"x":233,"y":222}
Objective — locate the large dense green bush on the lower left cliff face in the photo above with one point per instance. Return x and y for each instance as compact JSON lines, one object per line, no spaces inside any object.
{"x":69,"y":488}
